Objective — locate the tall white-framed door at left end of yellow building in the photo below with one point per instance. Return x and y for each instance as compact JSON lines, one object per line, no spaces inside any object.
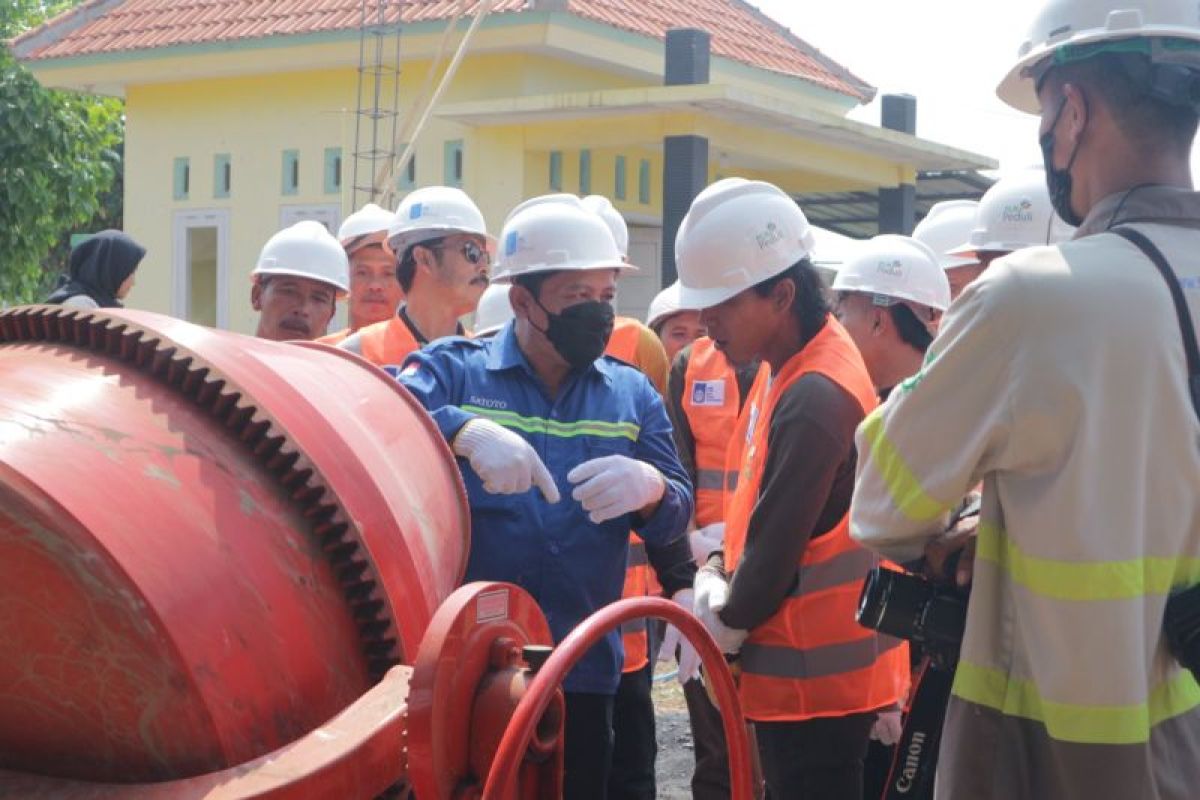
{"x":201,"y":267}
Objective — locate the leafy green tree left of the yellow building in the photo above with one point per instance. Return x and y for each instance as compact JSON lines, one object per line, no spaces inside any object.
{"x":61,"y":158}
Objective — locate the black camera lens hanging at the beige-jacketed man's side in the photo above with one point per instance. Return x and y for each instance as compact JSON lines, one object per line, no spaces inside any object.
{"x":914,"y":609}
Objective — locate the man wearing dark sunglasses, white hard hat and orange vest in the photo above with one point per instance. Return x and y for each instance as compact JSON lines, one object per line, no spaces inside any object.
{"x":443,"y":256}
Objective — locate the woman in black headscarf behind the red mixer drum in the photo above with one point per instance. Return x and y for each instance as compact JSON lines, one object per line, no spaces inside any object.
{"x":101,"y":272}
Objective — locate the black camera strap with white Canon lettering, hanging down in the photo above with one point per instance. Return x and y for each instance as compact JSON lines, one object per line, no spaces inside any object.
{"x":915,"y":765}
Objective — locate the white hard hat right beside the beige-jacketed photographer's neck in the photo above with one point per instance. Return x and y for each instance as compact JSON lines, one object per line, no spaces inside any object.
{"x":1016,"y":213}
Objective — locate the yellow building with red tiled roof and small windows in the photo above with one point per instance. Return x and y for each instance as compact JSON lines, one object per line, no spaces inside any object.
{"x":245,"y":117}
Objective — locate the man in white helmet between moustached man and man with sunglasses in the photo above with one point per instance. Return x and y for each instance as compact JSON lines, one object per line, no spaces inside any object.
{"x":375,"y":290}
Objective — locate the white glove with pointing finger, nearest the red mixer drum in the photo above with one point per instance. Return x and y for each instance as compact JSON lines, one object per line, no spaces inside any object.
{"x":503,"y":461}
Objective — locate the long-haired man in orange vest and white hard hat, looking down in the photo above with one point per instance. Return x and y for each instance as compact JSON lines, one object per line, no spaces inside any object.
{"x":782,"y":594}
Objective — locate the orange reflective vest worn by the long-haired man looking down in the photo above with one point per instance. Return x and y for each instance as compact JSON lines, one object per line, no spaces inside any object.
{"x":812,"y":659}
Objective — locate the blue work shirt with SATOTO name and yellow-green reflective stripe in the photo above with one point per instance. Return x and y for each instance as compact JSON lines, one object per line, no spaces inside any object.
{"x":571,"y":566}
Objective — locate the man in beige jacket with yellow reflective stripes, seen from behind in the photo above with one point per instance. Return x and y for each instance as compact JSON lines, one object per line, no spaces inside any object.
{"x":1059,"y":380}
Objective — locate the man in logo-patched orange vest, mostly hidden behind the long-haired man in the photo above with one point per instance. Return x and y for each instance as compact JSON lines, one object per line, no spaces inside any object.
{"x":704,"y":398}
